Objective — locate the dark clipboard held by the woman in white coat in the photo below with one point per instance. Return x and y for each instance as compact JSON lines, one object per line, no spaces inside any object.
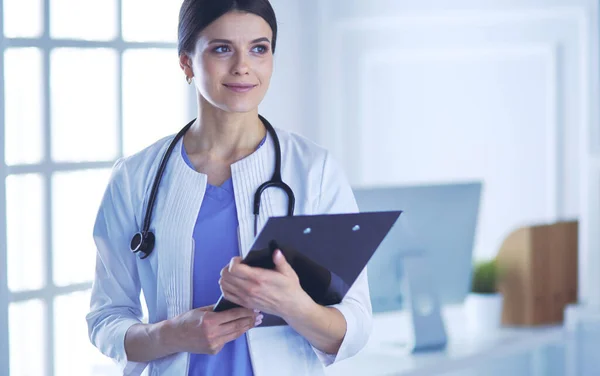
{"x":327,"y":251}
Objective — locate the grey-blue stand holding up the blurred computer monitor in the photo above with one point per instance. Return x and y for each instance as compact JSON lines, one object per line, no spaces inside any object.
{"x":423,"y":304}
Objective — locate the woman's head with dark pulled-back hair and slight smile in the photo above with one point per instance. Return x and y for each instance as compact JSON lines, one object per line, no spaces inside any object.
{"x":222,"y":59}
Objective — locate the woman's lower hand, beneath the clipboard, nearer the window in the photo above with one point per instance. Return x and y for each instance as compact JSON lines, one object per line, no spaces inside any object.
{"x":202,"y":331}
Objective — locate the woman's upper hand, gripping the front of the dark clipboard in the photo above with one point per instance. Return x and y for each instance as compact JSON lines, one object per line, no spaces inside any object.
{"x":277,"y":292}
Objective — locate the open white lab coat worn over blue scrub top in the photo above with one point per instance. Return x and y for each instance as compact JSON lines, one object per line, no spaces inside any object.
{"x":320,"y":186}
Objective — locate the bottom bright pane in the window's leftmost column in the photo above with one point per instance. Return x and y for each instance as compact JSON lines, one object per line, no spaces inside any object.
{"x":27,"y":338}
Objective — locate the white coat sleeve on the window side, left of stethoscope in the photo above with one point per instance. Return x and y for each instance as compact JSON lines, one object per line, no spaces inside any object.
{"x":115,"y":302}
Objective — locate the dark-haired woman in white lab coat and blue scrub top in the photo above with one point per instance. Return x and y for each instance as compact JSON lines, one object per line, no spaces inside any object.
{"x":203,"y":221}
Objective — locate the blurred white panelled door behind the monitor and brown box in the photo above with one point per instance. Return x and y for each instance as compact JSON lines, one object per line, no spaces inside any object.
{"x":437,"y":91}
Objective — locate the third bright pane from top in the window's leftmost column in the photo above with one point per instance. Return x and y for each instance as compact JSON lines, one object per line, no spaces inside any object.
{"x":25,"y":226}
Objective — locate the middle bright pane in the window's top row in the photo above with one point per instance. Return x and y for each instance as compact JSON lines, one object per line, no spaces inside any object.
{"x":87,"y":20}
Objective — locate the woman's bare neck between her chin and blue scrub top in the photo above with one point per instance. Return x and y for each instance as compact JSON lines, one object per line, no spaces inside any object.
{"x":224,"y":135}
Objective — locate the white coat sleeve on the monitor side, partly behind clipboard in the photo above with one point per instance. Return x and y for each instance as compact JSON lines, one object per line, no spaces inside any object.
{"x":337,"y":197}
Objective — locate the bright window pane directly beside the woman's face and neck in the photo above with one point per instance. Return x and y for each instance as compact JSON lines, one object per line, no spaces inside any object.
{"x":155,"y":97}
